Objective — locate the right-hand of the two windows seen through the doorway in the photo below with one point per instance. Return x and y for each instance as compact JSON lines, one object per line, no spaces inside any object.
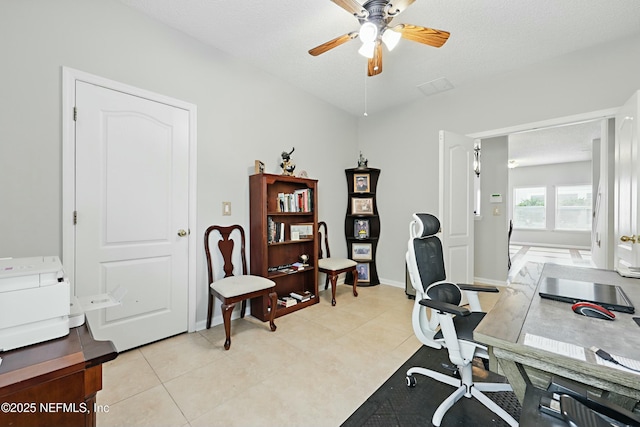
{"x":573,"y":207}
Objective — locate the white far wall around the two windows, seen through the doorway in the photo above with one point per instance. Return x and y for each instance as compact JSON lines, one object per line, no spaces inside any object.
{"x":549,"y":177}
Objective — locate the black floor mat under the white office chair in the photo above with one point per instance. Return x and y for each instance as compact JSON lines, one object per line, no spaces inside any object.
{"x":395,"y":404}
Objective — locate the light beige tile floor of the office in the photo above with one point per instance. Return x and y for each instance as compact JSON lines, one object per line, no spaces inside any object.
{"x":319,"y":366}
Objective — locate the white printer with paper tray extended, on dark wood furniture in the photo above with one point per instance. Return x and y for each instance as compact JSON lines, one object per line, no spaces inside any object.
{"x":36,"y":303}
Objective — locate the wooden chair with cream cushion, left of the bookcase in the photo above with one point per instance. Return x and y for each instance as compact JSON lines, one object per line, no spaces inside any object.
{"x":236,"y":285}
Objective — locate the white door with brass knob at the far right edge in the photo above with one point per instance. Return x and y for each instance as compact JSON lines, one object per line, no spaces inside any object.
{"x":626,"y":211}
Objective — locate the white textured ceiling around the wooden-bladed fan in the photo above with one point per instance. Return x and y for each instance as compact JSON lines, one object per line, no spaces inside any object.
{"x":487,"y":38}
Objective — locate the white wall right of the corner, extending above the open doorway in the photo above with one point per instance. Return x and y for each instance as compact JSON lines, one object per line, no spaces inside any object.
{"x":403,"y":142}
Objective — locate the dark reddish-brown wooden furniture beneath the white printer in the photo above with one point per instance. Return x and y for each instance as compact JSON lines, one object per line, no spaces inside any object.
{"x":54,"y":383}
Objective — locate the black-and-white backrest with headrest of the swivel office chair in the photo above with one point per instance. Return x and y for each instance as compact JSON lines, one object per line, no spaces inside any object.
{"x":425,"y":259}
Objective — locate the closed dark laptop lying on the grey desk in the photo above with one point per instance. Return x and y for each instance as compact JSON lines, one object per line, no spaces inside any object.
{"x":610,"y":297}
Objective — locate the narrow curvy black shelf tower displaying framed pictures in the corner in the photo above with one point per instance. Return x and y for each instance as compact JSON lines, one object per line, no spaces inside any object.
{"x":362,"y":223}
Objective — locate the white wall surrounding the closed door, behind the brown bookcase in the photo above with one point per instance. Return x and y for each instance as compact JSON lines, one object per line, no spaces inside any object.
{"x":243,"y":114}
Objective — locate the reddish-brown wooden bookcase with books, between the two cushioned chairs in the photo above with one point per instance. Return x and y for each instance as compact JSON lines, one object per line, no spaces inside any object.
{"x":284,"y":226}
